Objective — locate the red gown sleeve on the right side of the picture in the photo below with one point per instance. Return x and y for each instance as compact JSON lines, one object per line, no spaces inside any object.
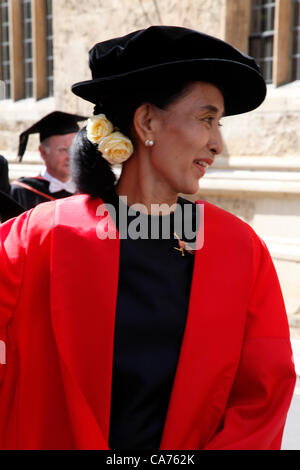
{"x":262,"y":391}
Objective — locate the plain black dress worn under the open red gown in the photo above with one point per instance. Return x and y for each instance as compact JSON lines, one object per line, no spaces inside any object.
{"x":152,"y":305}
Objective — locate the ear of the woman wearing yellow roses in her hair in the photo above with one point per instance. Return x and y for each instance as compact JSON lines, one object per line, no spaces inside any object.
{"x":145,"y":122}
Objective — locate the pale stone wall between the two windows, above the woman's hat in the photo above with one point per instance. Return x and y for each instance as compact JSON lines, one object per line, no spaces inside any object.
{"x":80,"y":25}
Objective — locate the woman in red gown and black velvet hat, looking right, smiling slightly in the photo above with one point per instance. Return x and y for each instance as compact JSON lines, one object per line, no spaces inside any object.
{"x":115,"y":340}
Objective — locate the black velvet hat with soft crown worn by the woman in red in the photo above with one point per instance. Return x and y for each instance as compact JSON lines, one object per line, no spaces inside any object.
{"x":149,"y":58}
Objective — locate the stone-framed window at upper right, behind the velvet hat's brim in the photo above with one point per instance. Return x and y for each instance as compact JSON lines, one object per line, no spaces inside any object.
{"x":269,"y":31}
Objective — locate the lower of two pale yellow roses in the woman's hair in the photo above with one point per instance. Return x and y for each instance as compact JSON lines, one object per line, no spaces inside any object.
{"x":116,"y":148}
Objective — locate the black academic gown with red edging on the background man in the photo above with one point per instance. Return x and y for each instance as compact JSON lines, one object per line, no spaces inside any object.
{"x":29,"y":192}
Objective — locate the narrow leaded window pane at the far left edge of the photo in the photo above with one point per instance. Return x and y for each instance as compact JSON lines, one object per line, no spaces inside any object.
{"x":4,"y":50}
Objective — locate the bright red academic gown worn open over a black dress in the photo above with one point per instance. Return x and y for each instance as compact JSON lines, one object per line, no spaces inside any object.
{"x":58,"y":281}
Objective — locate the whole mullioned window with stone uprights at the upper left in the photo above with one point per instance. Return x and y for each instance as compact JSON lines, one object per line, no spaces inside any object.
{"x":26,"y":48}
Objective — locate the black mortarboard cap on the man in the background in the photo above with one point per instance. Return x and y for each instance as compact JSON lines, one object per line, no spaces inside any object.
{"x":55,"y":123}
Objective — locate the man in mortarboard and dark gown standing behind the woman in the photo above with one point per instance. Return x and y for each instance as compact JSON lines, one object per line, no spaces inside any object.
{"x":56,"y":131}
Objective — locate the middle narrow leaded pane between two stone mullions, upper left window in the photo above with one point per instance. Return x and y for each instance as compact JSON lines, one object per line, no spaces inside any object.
{"x":27,"y":48}
